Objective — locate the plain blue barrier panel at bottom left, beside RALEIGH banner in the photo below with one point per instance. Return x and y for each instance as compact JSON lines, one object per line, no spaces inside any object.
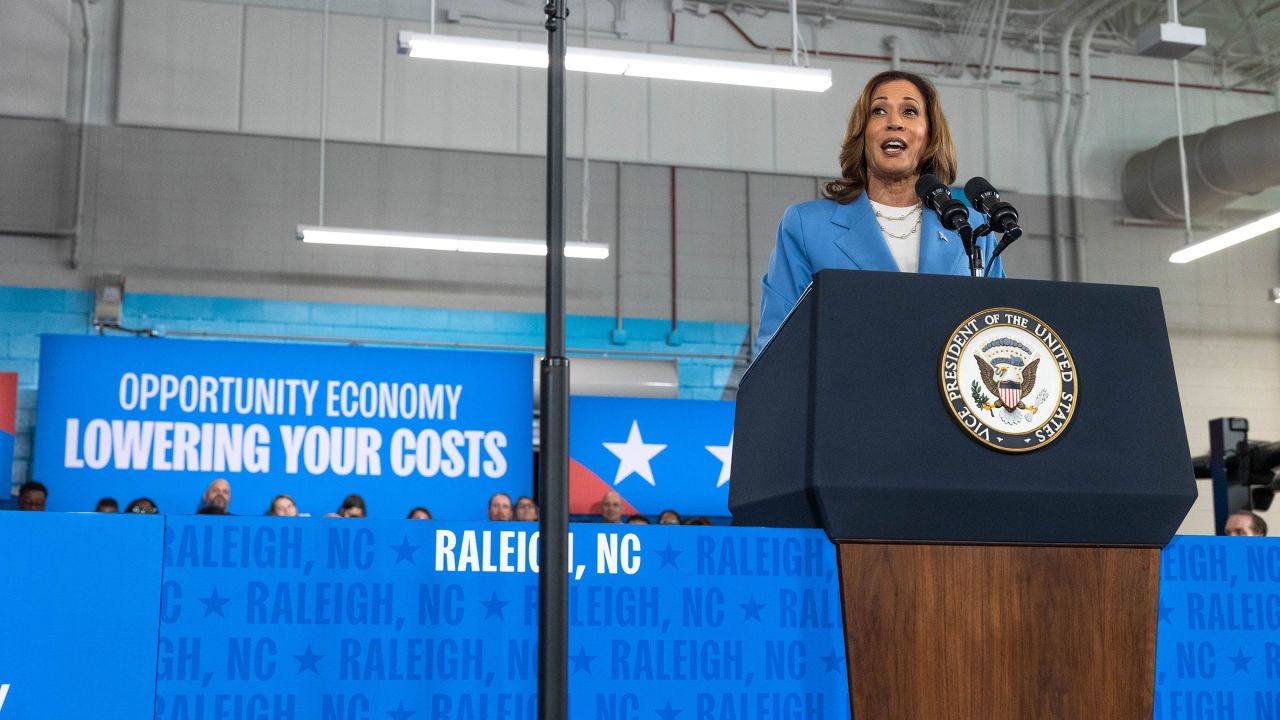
{"x":80,"y":607}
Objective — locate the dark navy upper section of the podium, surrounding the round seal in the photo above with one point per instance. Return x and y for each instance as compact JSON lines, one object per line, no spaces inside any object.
{"x":843,"y":423}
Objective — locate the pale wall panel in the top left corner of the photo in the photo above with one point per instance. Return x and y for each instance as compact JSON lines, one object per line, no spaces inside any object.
{"x":35,"y":40}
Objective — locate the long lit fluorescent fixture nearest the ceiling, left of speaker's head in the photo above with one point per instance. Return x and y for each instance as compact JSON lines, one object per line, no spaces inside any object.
{"x":614,"y":62}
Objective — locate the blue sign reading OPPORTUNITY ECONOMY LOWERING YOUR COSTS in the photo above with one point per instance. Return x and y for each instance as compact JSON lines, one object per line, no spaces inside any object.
{"x":130,"y":418}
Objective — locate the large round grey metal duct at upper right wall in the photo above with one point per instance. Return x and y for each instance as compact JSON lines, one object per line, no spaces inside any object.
{"x":1223,"y":163}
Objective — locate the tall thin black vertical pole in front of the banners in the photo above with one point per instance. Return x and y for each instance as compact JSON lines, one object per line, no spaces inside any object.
{"x":554,"y":409}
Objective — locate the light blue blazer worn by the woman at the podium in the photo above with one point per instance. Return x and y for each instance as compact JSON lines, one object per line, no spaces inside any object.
{"x":824,"y":234}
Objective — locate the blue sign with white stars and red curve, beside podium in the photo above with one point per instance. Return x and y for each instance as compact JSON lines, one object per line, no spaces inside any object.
{"x":657,"y":454}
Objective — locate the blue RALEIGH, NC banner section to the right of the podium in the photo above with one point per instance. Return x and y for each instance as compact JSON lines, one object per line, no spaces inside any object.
{"x":1218,"y":654}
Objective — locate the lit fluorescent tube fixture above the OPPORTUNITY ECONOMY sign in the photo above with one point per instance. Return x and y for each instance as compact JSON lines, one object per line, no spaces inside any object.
{"x":447,"y":243}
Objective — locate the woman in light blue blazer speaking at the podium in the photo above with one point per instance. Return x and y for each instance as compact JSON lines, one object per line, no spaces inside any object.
{"x":871,"y":218}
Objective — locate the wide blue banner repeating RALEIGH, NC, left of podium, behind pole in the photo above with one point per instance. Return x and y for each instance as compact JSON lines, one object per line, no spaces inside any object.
{"x":336,"y":619}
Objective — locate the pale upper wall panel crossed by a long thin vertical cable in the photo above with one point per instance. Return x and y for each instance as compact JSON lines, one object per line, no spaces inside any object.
{"x":284,"y":53}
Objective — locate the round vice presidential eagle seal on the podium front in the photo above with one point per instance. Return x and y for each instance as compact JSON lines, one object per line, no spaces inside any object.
{"x":1009,"y":380}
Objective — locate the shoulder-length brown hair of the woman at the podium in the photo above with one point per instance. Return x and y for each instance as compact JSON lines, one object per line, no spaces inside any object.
{"x":938,"y":160}
